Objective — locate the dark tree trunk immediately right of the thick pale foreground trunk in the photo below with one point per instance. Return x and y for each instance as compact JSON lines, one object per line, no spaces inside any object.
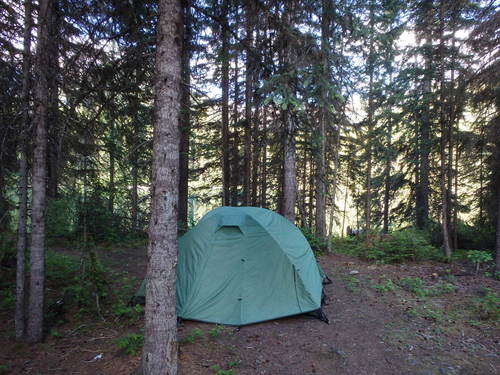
{"x":185,"y":118}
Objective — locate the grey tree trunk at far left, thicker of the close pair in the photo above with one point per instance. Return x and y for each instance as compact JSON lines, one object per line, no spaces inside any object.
{"x":37,"y":258}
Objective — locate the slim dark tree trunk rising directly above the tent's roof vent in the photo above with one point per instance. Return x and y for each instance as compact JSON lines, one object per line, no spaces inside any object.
{"x":226,"y":171}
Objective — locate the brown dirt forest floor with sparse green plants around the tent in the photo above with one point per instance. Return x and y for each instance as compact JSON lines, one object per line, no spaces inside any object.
{"x":416,"y":318}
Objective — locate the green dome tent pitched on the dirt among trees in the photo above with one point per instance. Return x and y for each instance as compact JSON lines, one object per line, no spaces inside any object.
{"x":242,"y":265}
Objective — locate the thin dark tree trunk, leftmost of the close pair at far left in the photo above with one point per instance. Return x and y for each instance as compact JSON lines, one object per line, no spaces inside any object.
{"x":20,"y":315}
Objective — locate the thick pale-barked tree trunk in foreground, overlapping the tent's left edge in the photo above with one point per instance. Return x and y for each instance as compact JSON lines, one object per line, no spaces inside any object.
{"x":160,"y":345}
